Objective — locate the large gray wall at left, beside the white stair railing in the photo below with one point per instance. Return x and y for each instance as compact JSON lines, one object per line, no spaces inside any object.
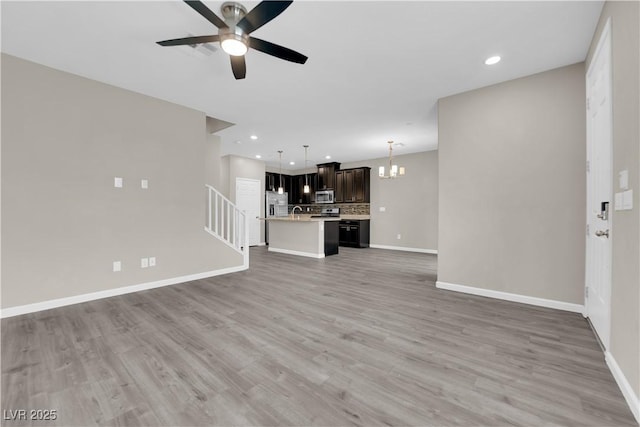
{"x":64,"y":139}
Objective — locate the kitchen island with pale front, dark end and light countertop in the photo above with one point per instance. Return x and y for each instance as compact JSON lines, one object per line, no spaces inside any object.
{"x":304,"y":235}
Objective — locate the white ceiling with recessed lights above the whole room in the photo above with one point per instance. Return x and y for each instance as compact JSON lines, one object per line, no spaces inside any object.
{"x":375,"y":71}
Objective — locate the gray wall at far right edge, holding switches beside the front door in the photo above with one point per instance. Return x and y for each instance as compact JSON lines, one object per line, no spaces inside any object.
{"x":625,"y":290}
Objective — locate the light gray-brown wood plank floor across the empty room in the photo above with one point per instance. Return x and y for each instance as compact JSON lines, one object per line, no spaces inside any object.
{"x":359,"y":339}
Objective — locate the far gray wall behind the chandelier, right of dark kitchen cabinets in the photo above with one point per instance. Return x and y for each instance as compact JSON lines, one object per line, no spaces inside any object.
{"x":410,"y":202}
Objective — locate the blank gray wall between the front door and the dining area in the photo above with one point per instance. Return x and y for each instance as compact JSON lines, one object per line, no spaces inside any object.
{"x":512,"y":186}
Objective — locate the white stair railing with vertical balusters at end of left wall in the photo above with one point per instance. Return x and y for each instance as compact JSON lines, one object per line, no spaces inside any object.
{"x":227,"y":223}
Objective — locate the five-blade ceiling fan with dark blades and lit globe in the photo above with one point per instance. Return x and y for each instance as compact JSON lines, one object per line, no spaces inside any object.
{"x":233,"y":32}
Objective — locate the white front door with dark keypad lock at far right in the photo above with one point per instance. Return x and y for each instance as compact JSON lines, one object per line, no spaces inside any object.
{"x":599,"y":188}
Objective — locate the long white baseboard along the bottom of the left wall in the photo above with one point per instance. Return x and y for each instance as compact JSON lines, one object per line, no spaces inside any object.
{"x":60,"y":302}
